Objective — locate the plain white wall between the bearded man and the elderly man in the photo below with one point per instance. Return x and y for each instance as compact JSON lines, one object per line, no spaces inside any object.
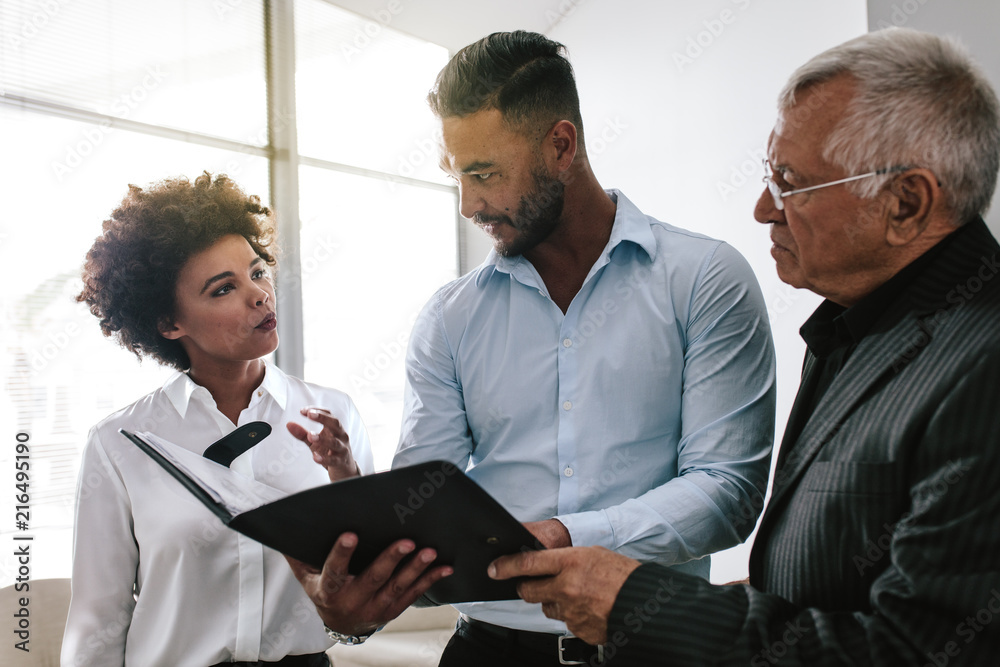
{"x":678,"y":100}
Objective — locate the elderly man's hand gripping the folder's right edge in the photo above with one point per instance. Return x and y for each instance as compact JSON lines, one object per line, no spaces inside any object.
{"x":579,"y":585}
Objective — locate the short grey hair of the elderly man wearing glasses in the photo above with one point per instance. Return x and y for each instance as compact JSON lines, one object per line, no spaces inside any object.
{"x":920,"y":101}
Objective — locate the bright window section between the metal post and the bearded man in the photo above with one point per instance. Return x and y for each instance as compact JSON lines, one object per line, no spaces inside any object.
{"x":363,"y":282}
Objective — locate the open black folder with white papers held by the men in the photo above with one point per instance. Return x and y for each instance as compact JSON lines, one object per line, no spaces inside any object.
{"x":434,"y":504}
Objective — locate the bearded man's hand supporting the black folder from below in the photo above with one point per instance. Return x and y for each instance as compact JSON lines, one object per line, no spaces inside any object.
{"x":357,"y":605}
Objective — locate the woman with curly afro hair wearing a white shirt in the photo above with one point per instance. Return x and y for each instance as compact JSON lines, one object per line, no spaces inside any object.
{"x":182,"y":274}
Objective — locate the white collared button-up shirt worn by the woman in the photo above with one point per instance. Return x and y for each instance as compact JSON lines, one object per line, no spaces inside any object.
{"x":157,"y":578}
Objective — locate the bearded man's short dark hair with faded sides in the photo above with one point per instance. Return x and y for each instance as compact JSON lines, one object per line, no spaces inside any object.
{"x":524,"y":75}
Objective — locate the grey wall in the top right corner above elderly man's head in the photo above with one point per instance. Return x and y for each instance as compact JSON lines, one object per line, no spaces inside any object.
{"x":973,"y":22}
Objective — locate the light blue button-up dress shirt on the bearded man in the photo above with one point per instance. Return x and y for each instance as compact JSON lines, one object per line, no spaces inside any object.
{"x":642,"y":419}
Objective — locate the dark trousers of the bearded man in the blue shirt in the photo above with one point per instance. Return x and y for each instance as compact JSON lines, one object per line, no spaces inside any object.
{"x":470,"y":646}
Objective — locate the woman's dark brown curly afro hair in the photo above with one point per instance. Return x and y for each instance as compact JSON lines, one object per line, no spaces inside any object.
{"x":131,"y":271}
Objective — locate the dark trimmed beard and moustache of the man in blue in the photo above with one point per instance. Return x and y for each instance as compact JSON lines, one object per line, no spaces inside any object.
{"x":537,"y":215}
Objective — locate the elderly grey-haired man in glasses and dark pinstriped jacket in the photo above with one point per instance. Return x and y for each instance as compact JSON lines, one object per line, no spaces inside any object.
{"x":880,"y":541}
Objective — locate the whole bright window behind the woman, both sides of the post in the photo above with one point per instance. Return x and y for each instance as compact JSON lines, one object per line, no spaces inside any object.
{"x":97,"y":95}
